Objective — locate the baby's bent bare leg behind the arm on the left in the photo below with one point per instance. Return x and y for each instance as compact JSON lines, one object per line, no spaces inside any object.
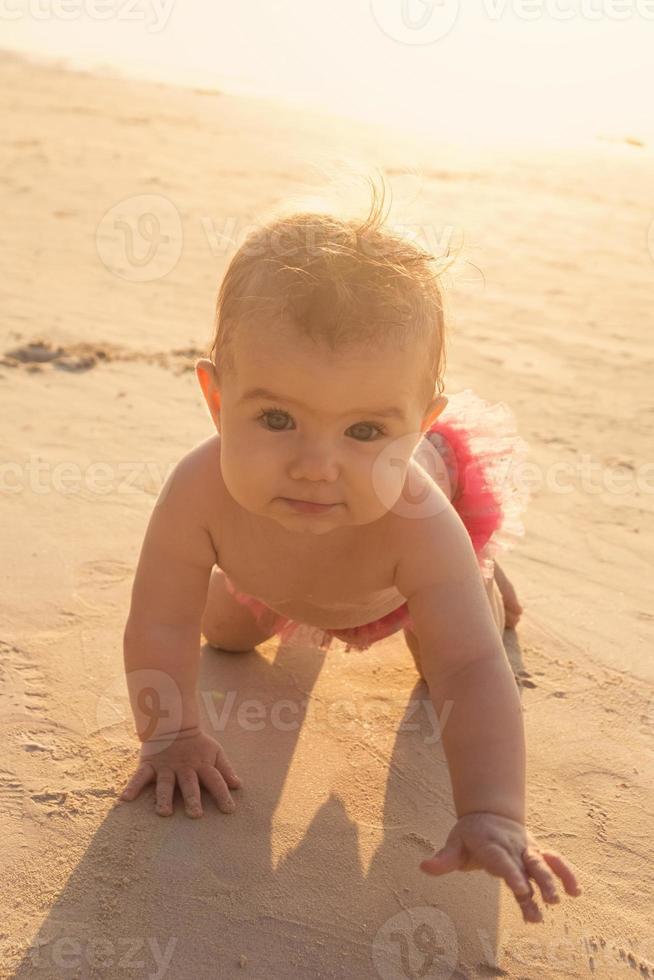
{"x":229,"y":624}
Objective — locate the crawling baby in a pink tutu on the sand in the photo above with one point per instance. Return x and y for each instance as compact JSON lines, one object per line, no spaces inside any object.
{"x":310,"y":506}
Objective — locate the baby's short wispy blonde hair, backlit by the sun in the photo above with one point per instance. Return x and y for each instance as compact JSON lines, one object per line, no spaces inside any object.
{"x":342,"y":280}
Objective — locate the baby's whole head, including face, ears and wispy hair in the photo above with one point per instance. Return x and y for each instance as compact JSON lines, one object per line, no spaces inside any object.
{"x":326,"y":366}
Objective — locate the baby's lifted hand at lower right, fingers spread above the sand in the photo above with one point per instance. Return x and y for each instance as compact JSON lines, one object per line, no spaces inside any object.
{"x":504,"y":848}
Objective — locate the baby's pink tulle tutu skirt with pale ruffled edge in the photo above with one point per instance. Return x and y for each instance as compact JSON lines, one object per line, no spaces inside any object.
{"x":481,"y":454}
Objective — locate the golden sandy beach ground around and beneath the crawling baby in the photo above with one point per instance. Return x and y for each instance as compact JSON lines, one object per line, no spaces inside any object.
{"x":316,"y":873}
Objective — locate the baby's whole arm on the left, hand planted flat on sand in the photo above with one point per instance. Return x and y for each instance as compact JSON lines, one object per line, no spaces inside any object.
{"x":161,"y":645}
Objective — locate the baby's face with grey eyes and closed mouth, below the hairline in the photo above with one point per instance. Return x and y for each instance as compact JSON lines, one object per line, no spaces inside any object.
{"x":299,"y":422}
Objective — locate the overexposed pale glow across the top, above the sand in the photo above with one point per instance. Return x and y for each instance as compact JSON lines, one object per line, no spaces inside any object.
{"x":560,"y":71}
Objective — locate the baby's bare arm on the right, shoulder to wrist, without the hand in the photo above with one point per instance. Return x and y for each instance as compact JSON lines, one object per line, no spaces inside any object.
{"x":465,"y":666}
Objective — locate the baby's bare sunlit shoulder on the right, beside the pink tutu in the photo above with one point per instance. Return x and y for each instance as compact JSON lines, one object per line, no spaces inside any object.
{"x":433,"y":543}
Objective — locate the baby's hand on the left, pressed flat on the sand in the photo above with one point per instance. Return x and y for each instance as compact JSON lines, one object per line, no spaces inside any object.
{"x":191,"y":755}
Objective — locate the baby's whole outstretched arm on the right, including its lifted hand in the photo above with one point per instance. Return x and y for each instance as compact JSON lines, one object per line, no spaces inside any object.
{"x":475,"y":695}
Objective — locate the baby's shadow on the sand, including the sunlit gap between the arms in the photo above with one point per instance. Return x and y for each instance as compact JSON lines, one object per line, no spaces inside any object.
{"x":279,"y":889}
